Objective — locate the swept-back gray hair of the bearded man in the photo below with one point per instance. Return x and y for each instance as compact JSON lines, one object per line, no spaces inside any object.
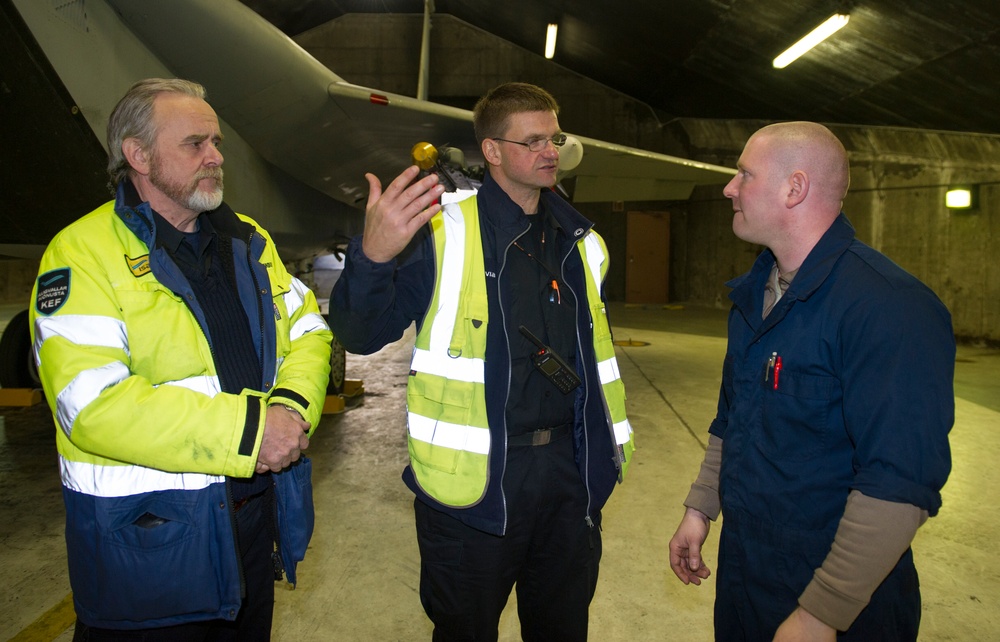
{"x":132,"y":117}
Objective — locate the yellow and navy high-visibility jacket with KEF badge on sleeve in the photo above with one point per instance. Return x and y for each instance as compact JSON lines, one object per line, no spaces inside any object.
{"x":142,"y":424}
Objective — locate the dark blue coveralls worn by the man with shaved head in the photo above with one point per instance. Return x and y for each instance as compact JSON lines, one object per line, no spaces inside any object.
{"x":863,"y":400}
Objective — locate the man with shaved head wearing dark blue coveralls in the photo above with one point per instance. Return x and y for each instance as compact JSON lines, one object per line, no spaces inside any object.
{"x":830,"y":446}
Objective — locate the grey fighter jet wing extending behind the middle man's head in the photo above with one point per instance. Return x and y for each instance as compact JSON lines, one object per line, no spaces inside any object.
{"x":308,"y":121}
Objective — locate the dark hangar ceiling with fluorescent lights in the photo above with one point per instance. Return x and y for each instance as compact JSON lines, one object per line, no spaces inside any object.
{"x":931,"y":64}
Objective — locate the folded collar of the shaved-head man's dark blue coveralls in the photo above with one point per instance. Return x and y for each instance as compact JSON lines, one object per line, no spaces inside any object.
{"x":748,"y":289}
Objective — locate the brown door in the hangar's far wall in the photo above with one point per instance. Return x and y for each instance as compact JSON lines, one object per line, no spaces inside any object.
{"x":647,"y":270}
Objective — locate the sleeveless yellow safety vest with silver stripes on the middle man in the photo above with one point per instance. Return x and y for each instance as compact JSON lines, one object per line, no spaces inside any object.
{"x":448,"y":426}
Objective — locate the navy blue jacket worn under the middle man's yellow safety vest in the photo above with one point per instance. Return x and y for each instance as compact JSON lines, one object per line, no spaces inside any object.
{"x":372,"y":305}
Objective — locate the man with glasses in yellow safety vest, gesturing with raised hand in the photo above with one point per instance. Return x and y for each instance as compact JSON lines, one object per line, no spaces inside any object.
{"x":515,"y":408}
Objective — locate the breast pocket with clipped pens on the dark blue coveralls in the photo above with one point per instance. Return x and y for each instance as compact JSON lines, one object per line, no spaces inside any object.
{"x":797,"y":418}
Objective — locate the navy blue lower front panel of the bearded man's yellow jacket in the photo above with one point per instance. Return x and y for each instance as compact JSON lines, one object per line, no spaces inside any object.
{"x":159,"y":557}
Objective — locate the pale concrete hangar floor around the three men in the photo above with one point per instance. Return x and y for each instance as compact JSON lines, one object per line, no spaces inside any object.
{"x":359,"y":579}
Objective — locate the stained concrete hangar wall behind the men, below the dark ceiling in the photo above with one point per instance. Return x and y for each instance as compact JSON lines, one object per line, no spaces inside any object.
{"x":898,"y":176}
